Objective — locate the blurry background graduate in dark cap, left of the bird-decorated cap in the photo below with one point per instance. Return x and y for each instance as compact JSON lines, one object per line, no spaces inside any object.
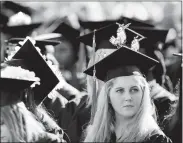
{"x":65,"y":55}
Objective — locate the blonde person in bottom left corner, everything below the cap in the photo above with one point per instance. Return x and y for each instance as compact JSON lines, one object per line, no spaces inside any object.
{"x":19,"y":125}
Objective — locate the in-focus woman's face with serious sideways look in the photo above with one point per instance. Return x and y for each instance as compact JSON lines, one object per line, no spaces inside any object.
{"x":126,"y":95}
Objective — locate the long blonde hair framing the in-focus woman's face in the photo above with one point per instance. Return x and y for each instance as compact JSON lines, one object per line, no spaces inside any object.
{"x":102,"y":127}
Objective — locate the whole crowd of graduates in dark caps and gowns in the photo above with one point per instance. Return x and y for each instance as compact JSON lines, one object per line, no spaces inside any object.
{"x":62,"y":84}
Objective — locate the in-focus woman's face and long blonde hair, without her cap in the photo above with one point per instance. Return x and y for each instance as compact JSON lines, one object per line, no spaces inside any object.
{"x":124,"y":112}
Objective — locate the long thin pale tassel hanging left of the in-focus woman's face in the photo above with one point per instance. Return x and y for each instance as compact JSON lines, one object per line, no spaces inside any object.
{"x":94,"y":96}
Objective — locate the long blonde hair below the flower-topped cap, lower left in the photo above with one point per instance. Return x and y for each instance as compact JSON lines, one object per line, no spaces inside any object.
{"x":21,"y":123}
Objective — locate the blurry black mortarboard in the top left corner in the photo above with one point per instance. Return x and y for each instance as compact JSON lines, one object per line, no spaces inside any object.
{"x":16,"y":7}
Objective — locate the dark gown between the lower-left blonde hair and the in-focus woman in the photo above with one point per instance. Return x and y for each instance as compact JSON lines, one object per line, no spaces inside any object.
{"x":74,"y":119}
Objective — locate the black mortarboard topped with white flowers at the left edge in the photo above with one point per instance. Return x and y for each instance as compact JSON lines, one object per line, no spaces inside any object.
{"x":15,"y":76}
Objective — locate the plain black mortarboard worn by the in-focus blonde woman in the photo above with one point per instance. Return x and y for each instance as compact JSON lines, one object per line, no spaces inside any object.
{"x":123,"y":57}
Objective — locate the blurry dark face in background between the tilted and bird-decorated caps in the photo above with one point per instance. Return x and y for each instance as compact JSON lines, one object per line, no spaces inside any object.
{"x":64,"y":54}
